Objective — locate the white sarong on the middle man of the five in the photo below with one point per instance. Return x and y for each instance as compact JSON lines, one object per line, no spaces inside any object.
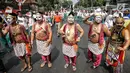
{"x":68,"y":50}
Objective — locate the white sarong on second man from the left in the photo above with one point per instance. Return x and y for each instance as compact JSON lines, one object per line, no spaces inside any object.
{"x":42,"y":49}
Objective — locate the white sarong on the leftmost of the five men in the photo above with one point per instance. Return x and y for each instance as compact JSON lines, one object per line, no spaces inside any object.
{"x":19,"y":49}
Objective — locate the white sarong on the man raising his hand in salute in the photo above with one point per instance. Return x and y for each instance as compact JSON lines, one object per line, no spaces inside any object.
{"x":94,"y":48}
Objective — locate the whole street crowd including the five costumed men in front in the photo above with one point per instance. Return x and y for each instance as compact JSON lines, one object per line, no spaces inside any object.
{"x":109,"y":31}
